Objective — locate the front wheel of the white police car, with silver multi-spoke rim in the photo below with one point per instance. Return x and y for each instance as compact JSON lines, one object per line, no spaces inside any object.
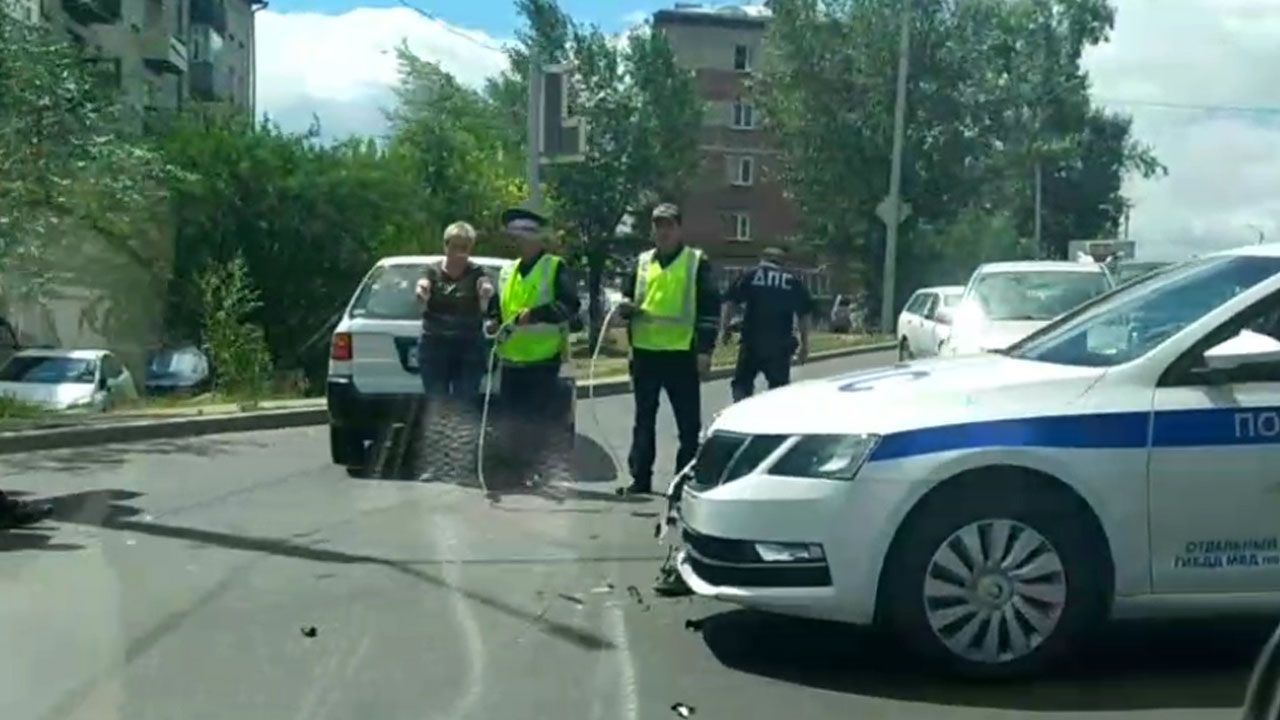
{"x":947,"y":618}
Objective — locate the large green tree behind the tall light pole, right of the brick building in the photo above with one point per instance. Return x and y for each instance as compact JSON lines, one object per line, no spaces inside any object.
{"x":995,"y":89}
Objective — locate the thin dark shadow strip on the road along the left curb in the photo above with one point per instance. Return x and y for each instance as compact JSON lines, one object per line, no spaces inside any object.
{"x":97,"y":458}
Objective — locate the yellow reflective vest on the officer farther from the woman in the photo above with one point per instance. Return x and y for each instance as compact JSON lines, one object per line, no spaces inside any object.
{"x":668,"y":299}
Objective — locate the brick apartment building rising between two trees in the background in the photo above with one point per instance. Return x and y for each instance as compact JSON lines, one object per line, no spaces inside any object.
{"x":738,"y":206}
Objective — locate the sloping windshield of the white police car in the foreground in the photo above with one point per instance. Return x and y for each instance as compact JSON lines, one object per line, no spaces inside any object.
{"x":1137,"y":318}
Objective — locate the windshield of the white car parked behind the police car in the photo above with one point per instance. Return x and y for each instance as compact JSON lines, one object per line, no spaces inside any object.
{"x":1041,"y":295}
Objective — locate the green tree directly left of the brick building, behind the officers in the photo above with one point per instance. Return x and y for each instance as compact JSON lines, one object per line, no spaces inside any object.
{"x":644,"y":119}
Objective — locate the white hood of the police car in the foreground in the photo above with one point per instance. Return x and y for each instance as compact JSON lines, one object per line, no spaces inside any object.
{"x":913,"y":395}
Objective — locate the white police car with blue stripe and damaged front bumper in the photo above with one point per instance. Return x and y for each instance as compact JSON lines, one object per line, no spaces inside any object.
{"x":990,"y":511}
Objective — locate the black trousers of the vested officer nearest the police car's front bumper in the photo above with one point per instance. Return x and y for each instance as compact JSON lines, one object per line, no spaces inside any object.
{"x":652,"y":373}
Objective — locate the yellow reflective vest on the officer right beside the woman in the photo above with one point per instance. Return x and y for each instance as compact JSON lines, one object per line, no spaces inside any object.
{"x":536,"y":343}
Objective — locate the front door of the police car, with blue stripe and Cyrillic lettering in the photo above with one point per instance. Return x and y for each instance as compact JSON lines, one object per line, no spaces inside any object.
{"x":1215,"y":467}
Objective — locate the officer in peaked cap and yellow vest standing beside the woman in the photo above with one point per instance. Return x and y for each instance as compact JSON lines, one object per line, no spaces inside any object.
{"x":540,"y":307}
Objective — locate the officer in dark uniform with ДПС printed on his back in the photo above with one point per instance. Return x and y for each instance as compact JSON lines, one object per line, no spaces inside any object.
{"x":775,"y":303}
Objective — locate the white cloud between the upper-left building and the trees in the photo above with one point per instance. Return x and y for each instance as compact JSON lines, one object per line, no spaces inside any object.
{"x":344,"y":67}
